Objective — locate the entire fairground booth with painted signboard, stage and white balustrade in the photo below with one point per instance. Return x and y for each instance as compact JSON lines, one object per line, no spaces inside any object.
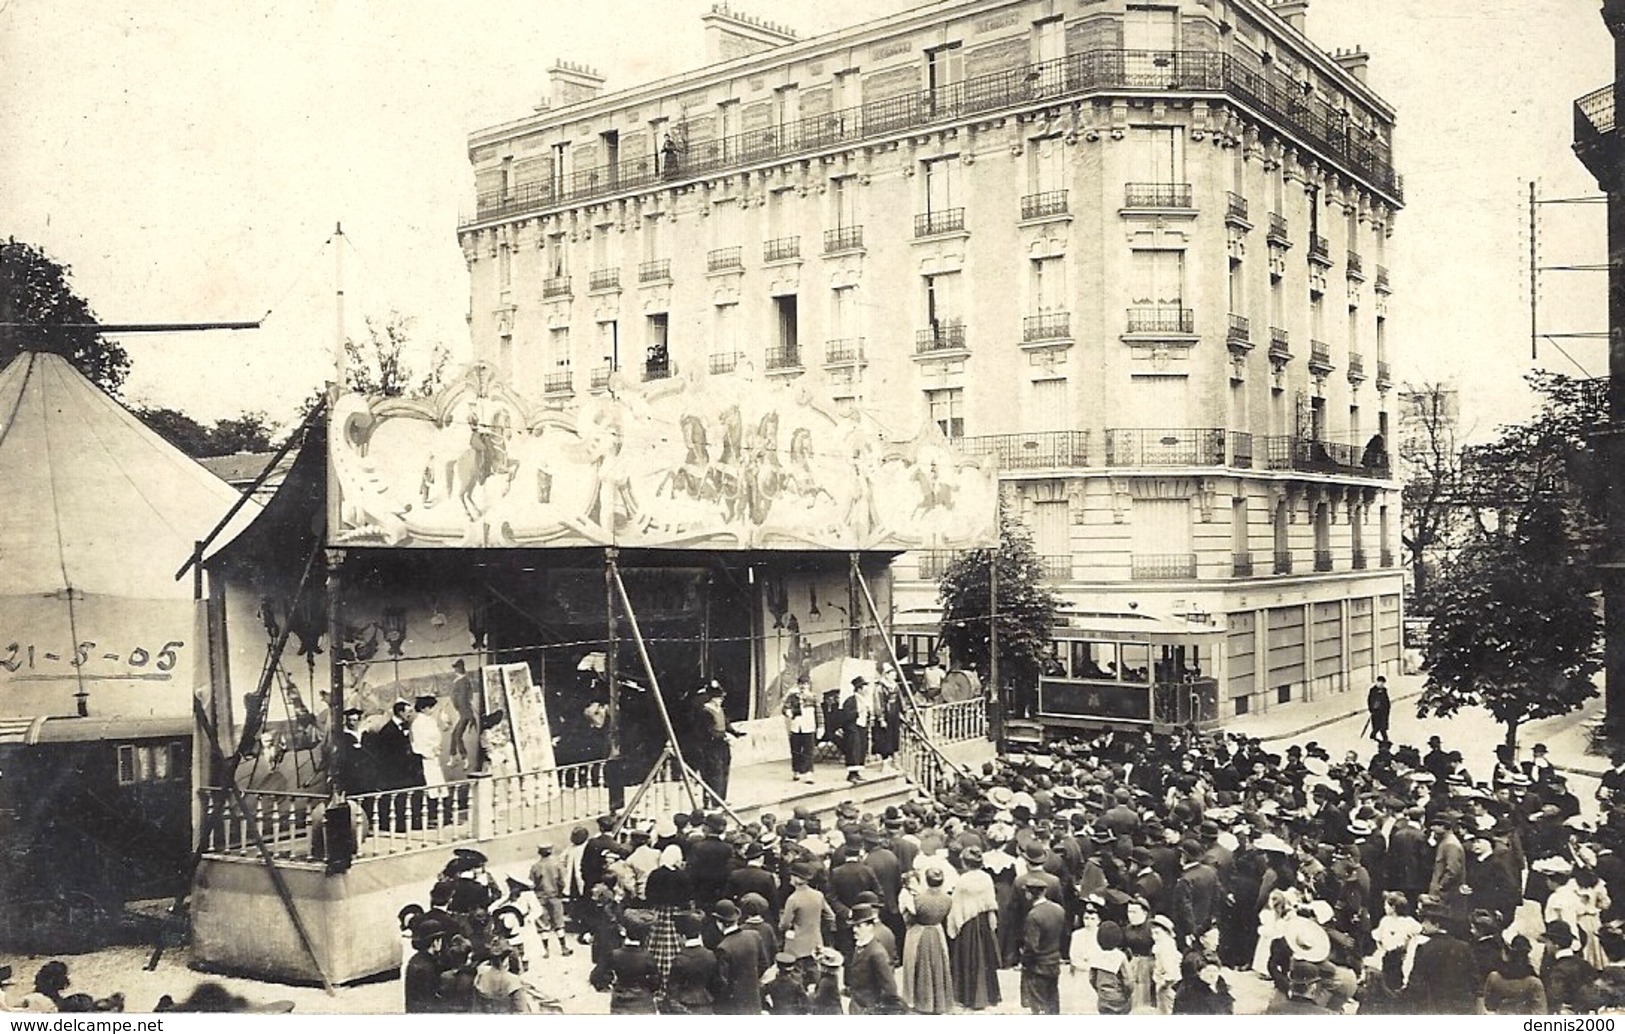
{"x":547,"y":591}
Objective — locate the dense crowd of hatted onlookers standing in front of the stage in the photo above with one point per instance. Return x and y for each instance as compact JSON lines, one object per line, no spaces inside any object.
{"x":1161,"y":869}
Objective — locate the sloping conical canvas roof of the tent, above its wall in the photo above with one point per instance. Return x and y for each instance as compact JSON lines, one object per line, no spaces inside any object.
{"x":95,"y":502}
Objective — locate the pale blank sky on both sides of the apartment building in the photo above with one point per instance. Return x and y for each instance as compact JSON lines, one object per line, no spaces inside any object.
{"x":189,"y":160}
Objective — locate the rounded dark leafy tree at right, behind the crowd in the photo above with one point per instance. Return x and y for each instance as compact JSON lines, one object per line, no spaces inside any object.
{"x":1515,"y":625}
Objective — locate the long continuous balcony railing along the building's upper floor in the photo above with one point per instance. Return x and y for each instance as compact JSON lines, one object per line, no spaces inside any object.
{"x":1270,"y":92}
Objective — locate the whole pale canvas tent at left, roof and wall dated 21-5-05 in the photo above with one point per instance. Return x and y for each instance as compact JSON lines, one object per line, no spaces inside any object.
{"x":97,"y":516}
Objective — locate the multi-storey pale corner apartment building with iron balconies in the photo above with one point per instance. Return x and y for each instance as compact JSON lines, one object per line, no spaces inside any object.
{"x":1132,"y":250}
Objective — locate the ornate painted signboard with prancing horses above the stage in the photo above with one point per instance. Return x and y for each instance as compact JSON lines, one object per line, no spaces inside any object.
{"x":682,"y":463}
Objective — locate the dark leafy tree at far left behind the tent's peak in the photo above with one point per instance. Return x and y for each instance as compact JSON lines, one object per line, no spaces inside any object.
{"x":41,"y":313}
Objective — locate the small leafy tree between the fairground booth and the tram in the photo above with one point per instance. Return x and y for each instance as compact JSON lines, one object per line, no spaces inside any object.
{"x":1026,"y":607}
